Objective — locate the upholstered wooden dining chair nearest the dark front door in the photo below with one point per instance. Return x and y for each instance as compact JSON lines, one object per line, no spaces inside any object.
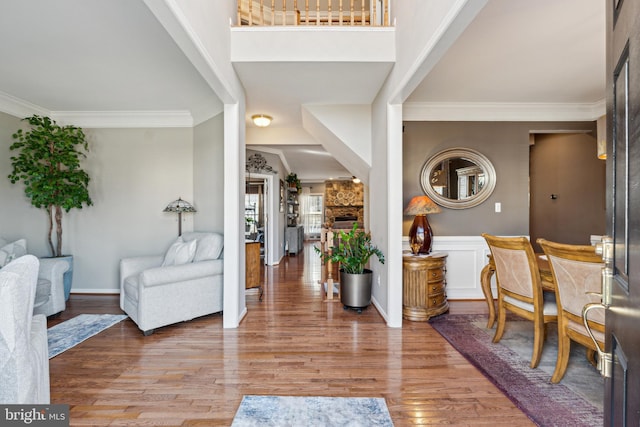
{"x":577,"y":272}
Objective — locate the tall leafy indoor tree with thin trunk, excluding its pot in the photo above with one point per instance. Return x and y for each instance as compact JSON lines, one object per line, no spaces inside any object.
{"x":48,"y":163}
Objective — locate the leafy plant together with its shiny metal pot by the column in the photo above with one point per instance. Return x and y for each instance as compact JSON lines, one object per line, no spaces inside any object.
{"x":353,"y":252}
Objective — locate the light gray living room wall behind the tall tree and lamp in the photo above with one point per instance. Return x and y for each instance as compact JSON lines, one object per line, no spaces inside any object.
{"x":134,"y":174}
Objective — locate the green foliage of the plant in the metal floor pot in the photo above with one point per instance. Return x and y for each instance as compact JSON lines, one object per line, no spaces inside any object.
{"x":353,"y":251}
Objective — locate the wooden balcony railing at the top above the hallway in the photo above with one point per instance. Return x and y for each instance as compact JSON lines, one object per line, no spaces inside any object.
{"x":313,"y":12}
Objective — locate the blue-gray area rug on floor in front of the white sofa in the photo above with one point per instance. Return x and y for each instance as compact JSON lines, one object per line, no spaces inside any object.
{"x":72,"y":332}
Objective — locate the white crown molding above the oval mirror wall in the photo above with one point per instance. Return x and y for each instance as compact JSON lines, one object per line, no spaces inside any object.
{"x":502,"y":112}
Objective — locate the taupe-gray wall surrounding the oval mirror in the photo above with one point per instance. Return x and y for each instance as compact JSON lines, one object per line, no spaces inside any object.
{"x":506,"y":144}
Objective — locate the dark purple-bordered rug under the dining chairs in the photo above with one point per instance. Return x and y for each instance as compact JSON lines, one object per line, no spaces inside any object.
{"x":529,"y":389}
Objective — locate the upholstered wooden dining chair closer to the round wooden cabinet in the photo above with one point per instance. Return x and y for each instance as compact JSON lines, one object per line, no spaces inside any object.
{"x":520,"y":289}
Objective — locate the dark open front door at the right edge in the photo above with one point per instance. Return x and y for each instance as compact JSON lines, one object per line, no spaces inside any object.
{"x":622,"y":388}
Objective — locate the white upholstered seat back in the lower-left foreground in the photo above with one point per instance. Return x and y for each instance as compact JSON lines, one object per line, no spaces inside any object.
{"x":24,"y":356}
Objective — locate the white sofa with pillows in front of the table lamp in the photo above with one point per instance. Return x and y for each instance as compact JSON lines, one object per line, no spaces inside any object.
{"x":184,"y":283}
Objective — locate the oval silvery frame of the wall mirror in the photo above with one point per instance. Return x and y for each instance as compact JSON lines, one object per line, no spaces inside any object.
{"x":467,"y":154}
